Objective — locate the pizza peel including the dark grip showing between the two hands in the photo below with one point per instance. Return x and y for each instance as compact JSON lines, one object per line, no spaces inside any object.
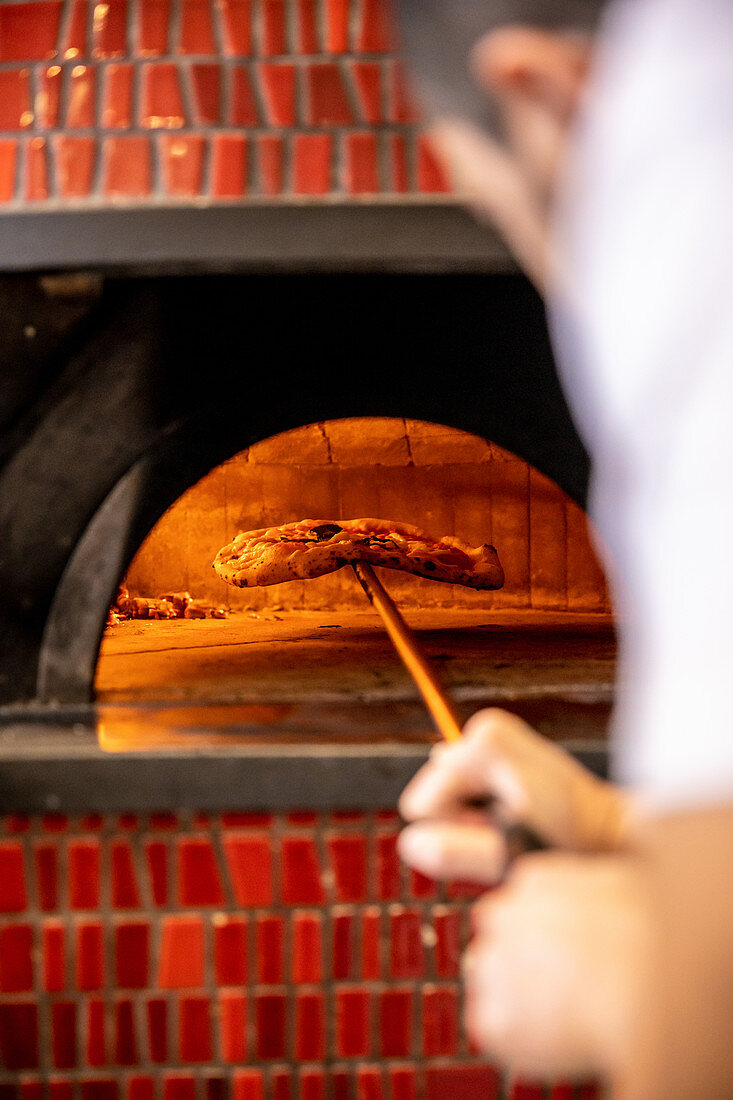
{"x":518,"y":838}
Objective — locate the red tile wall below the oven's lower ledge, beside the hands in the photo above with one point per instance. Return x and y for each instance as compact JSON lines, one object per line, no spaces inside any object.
{"x":239,"y":958}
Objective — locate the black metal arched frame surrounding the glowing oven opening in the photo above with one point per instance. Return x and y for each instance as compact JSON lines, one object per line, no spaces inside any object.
{"x":118,"y":392}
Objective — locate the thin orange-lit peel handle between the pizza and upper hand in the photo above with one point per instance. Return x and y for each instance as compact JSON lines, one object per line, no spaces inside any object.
{"x":411,"y":653}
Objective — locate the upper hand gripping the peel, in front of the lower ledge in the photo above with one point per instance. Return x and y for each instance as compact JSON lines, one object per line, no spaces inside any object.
{"x":530,"y":782}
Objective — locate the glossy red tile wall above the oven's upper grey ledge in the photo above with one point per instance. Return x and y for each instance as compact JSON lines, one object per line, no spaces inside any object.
{"x":234,"y":101}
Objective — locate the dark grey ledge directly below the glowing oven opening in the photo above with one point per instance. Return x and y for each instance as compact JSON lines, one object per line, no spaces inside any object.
{"x":52,"y":766}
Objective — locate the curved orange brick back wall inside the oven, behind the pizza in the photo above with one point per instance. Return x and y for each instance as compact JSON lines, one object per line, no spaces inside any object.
{"x":444,"y":481}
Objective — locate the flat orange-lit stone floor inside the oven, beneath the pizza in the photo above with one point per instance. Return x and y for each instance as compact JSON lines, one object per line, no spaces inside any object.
{"x":270,"y":658}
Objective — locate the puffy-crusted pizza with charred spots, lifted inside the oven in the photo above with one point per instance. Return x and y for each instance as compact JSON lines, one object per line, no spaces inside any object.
{"x":314,"y":547}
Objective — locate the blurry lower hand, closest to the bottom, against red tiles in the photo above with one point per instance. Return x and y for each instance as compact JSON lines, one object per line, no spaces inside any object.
{"x":554,"y":971}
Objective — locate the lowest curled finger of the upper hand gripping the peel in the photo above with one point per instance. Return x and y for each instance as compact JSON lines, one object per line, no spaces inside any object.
{"x":455,"y":851}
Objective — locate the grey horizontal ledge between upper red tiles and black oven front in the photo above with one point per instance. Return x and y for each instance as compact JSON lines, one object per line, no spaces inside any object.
{"x":265,"y":237}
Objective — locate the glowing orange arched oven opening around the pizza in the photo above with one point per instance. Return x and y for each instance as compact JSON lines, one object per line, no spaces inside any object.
{"x":188,"y":658}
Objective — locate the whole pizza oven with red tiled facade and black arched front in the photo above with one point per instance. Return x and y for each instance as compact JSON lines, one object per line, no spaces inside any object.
{"x":237,"y":291}
